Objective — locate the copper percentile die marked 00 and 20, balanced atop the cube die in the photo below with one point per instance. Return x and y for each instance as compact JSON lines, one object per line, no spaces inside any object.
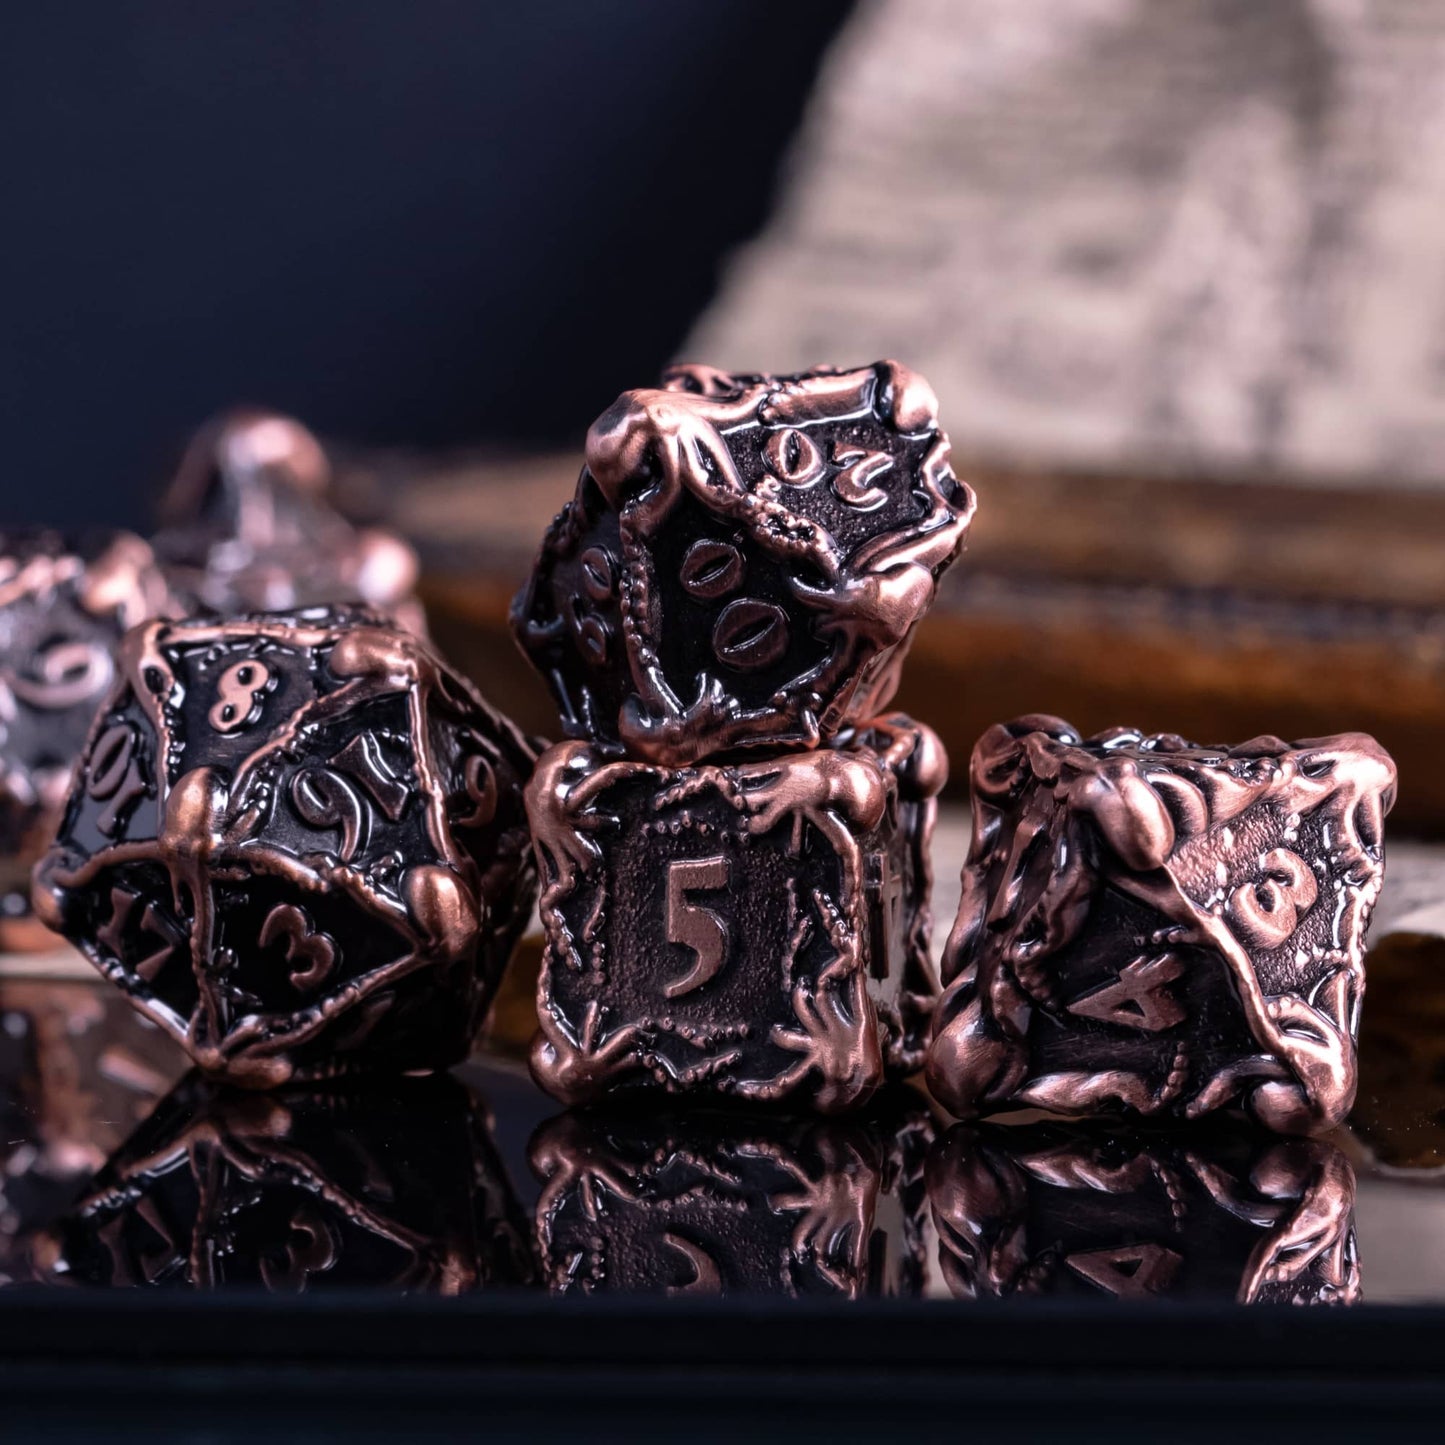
{"x":745,"y":560}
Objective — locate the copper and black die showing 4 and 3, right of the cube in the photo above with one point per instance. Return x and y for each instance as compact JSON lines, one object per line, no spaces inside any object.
{"x":1161,"y":928}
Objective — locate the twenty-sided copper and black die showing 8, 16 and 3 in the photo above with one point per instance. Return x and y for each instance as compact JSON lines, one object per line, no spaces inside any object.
{"x":288,"y":836}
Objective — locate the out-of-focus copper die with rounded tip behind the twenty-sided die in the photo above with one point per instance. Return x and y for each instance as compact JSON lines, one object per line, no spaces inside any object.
{"x":246,"y":525}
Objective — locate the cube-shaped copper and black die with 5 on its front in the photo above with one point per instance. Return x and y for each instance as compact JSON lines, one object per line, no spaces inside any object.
{"x":758,"y":930}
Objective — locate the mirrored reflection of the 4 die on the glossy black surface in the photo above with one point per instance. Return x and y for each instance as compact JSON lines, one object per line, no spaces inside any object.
{"x":1083,"y":1210}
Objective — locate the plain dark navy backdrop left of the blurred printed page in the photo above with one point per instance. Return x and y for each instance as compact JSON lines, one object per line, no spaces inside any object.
{"x":408,"y":222}
